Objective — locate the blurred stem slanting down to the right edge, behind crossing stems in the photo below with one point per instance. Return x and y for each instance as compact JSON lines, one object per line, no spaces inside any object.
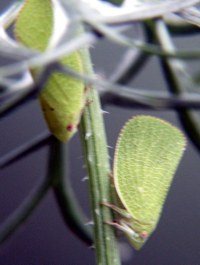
{"x":178,"y":81}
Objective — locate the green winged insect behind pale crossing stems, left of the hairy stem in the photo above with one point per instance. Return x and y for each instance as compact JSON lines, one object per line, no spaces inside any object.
{"x":63,"y":97}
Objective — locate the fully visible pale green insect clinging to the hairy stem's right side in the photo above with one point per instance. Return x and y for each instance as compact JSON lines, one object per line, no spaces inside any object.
{"x":147,"y":155}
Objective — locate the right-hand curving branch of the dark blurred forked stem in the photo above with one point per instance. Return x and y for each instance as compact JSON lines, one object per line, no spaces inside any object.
{"x":69,"y":208}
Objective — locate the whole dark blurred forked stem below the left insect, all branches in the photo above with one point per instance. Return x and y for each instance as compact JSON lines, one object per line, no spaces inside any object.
{"x":56,"y":177}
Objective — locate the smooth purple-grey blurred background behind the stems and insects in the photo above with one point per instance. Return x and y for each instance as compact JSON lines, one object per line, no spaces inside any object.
{"x":45,"y":239}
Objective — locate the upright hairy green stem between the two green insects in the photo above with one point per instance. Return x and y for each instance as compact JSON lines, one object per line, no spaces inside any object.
{"x":97,"y":161}
